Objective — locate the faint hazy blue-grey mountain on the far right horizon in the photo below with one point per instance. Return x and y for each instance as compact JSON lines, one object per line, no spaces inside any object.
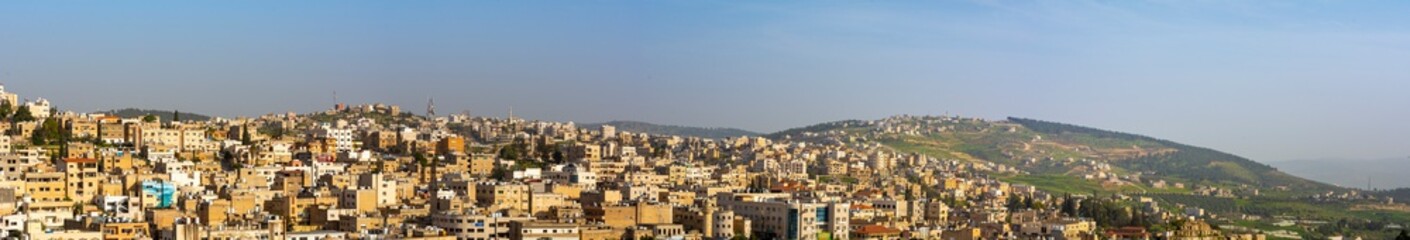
{"x":1381,"y":174}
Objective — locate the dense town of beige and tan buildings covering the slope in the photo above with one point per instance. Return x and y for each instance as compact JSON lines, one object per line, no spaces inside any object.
{"x":377,"y":172}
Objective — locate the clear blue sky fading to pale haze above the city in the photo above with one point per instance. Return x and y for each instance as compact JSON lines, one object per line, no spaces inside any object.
{"x":1265,"y":80}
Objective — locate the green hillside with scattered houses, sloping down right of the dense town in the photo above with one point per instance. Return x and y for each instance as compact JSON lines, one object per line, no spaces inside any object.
{"x":1075,"y":160}
